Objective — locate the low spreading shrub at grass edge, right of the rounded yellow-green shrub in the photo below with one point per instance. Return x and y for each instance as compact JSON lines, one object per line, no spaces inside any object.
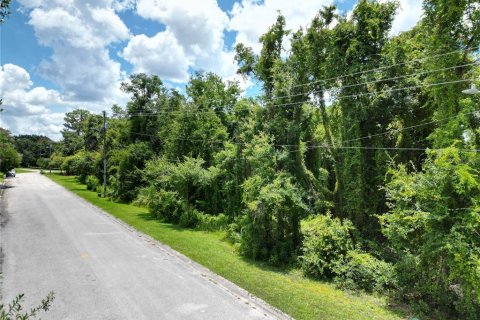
{"x":362,"y":271}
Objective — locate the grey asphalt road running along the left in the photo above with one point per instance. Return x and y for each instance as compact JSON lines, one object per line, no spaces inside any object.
{"x":99,"y":268}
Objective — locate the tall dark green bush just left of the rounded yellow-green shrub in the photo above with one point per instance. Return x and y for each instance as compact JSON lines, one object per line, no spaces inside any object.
{"x":271,"y":222}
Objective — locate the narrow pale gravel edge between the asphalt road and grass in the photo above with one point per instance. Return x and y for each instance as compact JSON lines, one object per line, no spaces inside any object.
{"x":226,"y":285}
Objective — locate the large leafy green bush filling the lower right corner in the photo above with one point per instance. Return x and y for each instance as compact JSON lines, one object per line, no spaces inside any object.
{"x":434,"y":225}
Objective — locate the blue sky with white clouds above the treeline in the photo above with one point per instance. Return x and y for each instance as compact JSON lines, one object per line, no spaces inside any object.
{"x":59,"y":55}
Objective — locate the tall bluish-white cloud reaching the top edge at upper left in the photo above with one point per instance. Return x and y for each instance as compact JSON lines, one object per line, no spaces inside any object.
{"x":80,"y":33}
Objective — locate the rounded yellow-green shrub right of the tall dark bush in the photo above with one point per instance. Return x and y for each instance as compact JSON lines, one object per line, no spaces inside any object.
{"x":326,"y":242}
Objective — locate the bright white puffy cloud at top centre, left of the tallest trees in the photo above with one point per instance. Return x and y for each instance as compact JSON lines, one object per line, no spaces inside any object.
{"x":194,"y":35}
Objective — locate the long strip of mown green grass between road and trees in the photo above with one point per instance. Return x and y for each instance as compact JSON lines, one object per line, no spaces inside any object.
{"x":287,"y":290}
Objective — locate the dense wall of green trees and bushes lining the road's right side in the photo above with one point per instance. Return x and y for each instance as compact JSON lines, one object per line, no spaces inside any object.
{"x":358,"y":160}
